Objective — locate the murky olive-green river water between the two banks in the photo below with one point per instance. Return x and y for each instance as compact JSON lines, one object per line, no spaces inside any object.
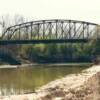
{"x":23,"y":80}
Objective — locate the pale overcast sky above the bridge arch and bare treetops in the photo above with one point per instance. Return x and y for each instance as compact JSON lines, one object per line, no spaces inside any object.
{"x":87,"y":10}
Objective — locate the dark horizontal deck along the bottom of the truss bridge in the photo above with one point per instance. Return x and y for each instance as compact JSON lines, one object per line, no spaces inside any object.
{"x":6,"y":42}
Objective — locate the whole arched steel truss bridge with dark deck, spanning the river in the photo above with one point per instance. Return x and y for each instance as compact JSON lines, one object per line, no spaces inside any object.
{"x":50,"y":31}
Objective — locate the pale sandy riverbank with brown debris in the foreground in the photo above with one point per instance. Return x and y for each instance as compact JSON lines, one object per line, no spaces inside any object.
{"x":83,"y":86}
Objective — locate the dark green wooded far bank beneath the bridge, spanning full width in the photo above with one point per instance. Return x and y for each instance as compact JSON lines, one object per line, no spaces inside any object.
{"x":50,"y":53}
